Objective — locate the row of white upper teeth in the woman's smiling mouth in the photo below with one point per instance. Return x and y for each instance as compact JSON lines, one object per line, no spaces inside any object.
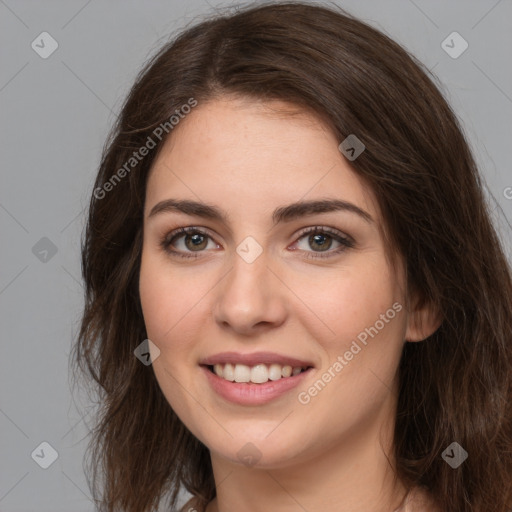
{"x":257,"y":374}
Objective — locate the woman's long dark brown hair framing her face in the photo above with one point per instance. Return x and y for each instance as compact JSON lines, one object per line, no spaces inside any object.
{"x":455,"y":386}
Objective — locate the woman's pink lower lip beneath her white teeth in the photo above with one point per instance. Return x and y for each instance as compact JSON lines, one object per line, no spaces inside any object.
{"x":253,"y":394}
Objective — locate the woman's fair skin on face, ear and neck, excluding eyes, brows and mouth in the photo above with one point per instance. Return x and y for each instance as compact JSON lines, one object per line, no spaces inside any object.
{"x":248,"y":158}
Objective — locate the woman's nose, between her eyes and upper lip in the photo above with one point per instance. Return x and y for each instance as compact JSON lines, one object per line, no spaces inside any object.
{"x":251,"y":297}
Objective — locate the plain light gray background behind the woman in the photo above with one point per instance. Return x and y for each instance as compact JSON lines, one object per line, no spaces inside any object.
{"x":55,"y":115}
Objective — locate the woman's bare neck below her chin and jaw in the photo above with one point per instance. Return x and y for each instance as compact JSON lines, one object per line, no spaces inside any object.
{"x":354,"y":475}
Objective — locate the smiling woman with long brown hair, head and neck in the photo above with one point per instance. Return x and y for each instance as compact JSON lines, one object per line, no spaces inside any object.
{"x":289,"y":373}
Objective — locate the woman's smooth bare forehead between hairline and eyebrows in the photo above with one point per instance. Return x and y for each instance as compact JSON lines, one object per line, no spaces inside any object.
{"x":249,"y":156}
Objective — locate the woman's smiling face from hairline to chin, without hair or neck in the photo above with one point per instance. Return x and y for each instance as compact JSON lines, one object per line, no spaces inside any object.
{"x":252,"y":280}
